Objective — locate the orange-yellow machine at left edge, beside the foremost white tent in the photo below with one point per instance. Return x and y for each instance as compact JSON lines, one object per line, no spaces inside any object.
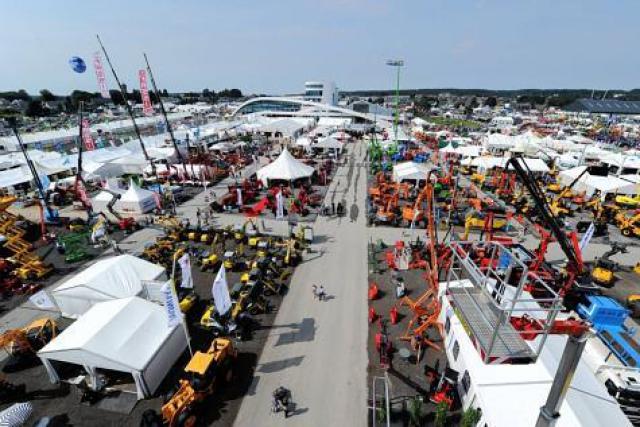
{"x":27,"y":341}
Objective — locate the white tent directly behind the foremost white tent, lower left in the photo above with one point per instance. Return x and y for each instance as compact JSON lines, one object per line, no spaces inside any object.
{"x":111,"y":278}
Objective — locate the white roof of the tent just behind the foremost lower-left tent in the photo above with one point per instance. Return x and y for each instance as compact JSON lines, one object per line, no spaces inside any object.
{"x":116,"y":277}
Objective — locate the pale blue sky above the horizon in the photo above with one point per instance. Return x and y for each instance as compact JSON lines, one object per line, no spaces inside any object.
{"x":274,"y":46}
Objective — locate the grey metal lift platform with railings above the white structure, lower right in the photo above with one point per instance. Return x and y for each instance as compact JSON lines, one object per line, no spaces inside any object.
{"x":487,"y":284}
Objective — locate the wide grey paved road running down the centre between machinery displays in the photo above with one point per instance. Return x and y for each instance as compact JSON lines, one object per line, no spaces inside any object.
{"x":318,"y":349}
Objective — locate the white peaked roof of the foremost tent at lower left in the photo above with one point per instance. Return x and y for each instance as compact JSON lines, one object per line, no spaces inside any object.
{"x":122,"y":334}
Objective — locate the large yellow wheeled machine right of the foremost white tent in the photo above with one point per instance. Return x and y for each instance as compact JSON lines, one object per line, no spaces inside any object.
{"x":204,"y":372}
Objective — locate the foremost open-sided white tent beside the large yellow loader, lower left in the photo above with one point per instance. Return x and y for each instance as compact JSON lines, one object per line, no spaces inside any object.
{"x":124,"y":335}
